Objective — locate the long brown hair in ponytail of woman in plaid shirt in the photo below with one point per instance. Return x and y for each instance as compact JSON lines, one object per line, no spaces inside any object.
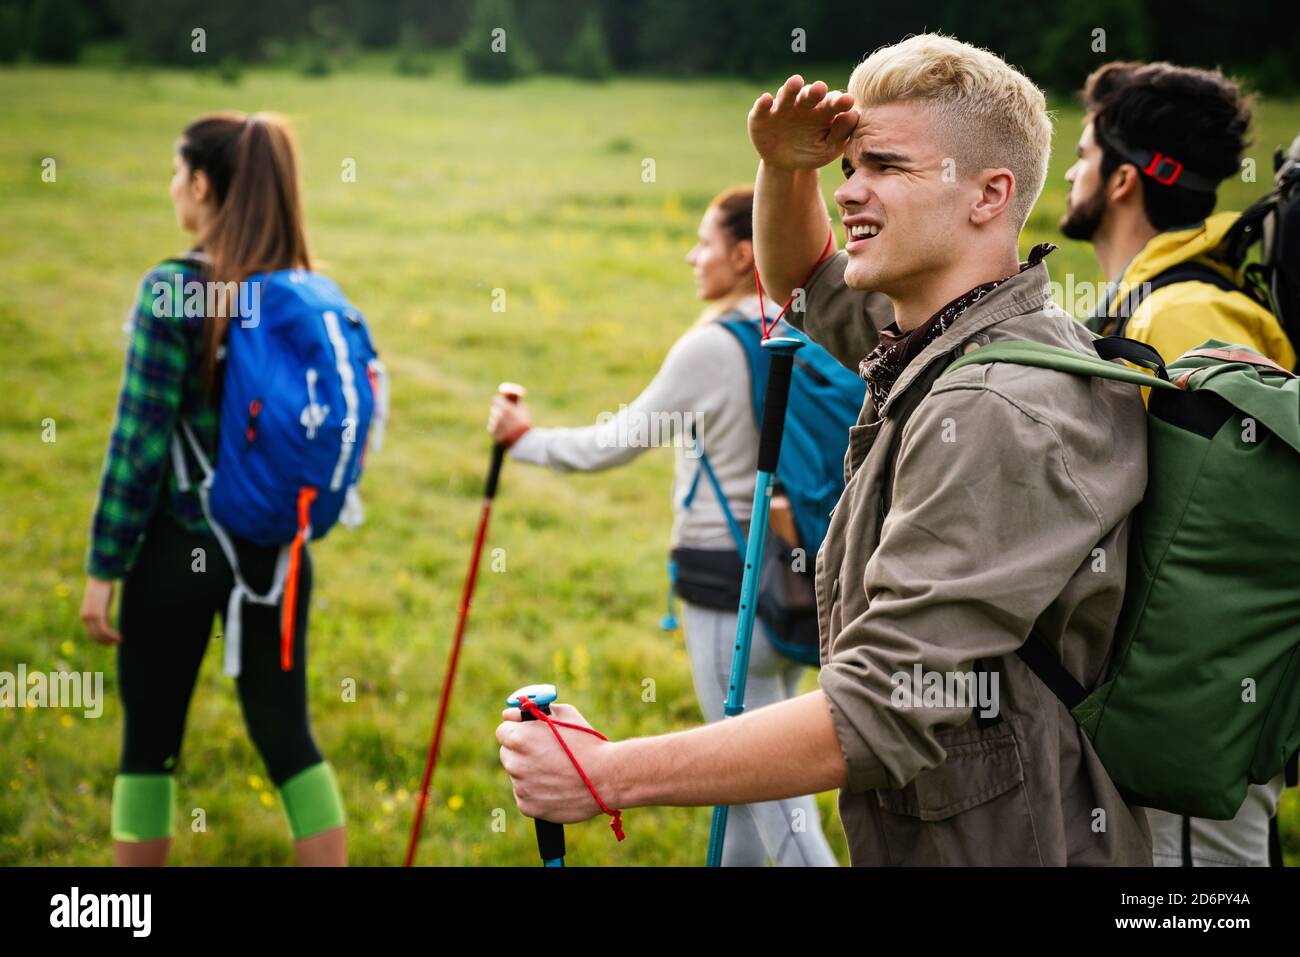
{"x":253,"y":167}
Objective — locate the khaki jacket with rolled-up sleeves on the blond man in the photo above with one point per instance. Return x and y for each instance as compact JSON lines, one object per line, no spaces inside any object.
{"x":1009,"y":514}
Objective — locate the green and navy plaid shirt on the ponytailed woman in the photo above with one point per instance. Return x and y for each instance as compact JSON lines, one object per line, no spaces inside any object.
{"x":163,"y":383}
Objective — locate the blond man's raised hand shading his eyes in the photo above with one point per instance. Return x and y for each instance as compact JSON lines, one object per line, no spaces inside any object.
{"x":803,"y":127}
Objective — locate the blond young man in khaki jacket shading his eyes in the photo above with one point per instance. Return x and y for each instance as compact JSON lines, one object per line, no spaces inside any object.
{"x":961,"y":538}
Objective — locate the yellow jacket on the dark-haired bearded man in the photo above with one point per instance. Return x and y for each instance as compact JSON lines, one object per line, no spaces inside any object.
{"x":1181,"y":317}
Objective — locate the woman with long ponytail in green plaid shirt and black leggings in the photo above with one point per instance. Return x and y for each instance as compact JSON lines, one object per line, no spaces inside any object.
{"x":236,"y":190}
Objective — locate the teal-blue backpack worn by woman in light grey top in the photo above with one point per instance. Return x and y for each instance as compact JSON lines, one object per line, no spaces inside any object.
{"x":825,"y":402}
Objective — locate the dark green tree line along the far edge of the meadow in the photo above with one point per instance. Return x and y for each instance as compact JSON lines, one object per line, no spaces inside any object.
{"x":502,"y":40}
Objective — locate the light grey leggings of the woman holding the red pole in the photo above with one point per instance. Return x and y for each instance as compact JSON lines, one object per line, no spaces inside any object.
{"x":790,"y":832}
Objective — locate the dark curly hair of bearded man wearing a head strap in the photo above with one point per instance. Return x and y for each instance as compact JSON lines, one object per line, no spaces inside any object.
{"x":1199,"y":118}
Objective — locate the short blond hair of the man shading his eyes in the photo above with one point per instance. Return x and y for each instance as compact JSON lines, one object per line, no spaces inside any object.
{"x":987,"y":114}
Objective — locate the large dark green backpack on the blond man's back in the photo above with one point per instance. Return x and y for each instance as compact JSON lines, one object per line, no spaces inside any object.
{"x":1203,"y":695}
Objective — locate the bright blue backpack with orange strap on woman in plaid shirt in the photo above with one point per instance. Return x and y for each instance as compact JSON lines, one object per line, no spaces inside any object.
{"x":304,"y":395}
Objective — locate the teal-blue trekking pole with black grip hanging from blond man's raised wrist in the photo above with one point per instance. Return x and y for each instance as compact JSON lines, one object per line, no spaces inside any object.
{"x":781,"y":366}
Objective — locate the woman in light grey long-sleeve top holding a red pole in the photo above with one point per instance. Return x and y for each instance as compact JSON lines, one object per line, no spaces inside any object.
{"x":704,"y":383}
